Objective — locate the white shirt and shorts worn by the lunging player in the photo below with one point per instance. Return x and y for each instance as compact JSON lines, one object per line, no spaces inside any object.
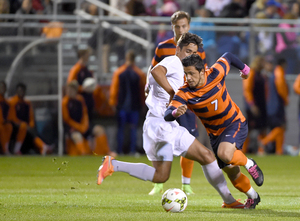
{"x":156,"y":131}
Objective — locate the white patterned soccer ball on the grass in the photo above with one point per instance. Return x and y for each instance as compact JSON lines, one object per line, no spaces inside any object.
{"x":174,"y":200}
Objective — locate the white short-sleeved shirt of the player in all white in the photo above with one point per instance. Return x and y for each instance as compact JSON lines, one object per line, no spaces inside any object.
{"x":158,"y":98}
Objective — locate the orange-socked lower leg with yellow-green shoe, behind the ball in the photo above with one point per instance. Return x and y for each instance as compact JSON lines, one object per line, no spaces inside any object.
{"x":186,"y":171}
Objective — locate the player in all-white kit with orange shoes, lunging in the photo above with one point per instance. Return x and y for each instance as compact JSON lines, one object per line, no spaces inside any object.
{"x":161,"y":139}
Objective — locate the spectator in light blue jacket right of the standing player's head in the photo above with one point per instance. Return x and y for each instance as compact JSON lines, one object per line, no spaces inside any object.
{"x":208,"y":37}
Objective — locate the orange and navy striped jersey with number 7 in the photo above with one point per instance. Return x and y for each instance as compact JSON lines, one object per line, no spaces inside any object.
{"x":211,"y":102}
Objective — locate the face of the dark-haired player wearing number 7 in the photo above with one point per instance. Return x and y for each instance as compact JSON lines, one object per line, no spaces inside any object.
{"x":194,"y":77}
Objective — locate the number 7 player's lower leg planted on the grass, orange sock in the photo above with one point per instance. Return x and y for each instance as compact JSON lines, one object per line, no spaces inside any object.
{"x":242,"y":183}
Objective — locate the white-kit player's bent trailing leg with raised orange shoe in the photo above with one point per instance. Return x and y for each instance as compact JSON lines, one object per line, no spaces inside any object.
{"x":159,"y":173}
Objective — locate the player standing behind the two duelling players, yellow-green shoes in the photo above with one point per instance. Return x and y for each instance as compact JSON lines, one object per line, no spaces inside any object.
{"x":180,"y":21}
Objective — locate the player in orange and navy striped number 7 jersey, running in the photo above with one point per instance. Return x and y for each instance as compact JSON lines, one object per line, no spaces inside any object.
{"x":205,"y":93}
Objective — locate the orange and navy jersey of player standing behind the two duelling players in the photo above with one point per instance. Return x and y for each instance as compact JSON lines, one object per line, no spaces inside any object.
{"x":168,"y":48}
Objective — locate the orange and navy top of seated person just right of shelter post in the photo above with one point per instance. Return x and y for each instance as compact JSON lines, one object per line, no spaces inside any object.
{"x":75,"y":113}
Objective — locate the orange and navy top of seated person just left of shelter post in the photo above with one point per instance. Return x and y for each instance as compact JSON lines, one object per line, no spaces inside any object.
{"x":21,"y":111}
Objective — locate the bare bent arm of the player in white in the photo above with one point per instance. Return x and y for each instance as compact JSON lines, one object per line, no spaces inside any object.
{"x":159,"y":75}
